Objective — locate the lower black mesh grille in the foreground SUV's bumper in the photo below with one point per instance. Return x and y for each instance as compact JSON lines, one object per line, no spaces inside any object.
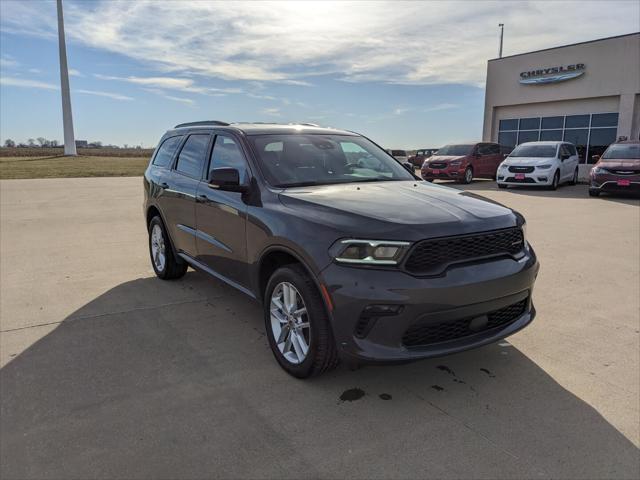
{"x":423,"y":334}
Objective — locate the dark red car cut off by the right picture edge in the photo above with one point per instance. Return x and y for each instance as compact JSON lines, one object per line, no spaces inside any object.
{"x":618,"y":170}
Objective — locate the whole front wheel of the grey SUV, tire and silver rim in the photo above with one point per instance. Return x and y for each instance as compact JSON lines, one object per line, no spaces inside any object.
{"x":297,"y":324}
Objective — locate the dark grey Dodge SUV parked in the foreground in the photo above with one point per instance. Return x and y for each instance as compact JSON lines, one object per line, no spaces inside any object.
{"x":328,"y":232}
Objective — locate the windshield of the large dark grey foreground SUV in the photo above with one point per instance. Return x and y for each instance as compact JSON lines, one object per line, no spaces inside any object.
{"x":301,"y":160}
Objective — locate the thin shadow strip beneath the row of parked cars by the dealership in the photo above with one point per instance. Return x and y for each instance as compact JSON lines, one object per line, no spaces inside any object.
{"x":564,"y":191}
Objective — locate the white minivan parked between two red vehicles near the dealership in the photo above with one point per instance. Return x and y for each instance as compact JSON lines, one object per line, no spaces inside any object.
{"x":545,"y":164}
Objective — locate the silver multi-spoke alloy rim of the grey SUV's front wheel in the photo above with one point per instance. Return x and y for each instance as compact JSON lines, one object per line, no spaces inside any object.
{"x":290,"y":323}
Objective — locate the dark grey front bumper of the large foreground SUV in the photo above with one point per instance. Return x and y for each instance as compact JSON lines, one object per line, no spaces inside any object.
{"x":464,"y":292}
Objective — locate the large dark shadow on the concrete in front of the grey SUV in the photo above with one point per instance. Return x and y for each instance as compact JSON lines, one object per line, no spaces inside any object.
{"x":142,"y":384}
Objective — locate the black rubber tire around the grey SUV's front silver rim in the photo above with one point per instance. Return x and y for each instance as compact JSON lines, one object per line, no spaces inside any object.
{"x":322,"y":355}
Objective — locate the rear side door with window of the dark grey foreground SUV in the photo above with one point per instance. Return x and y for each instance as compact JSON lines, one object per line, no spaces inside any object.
{"x":180,"y":187}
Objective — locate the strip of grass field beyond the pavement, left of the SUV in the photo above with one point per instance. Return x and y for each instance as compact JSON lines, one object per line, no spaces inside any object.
{"x":80,"y":166}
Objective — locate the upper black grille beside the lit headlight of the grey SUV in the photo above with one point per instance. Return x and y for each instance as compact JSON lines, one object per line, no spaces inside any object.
{"x":432,"y":256}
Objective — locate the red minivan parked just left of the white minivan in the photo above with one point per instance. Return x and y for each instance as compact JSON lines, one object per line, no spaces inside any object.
{"x":464,"y":162}
